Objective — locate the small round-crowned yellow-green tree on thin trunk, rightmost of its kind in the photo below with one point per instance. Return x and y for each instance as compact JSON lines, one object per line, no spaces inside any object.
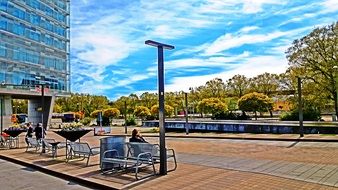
{"x":255,"y":102}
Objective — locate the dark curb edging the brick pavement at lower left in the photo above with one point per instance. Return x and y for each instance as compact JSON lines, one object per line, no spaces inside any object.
{"x":63,"y":176}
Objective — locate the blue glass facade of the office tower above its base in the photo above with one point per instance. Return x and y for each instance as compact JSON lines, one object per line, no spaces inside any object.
{"x":34,"y":43}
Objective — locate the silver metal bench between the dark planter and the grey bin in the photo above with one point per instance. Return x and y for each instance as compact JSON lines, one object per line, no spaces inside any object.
{"x":78,"y":149}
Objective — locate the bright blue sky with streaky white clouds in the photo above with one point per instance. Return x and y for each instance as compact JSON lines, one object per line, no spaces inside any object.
{"x":212,"y":38}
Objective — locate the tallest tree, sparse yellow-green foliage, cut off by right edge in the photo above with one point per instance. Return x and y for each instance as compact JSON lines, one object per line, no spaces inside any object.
{"x":316,"y":54}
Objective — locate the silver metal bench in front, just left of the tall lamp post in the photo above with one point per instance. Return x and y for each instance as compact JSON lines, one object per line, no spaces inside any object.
{"x":139,"y":155}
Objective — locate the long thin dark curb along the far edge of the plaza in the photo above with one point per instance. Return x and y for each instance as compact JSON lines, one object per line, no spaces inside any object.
{"x":238,"y":138}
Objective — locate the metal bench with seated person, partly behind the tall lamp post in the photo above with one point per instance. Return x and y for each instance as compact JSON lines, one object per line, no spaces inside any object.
{"x":155,"y":152}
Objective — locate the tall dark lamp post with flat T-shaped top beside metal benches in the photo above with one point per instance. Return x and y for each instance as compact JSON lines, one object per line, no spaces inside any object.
{"x":163,"y":153}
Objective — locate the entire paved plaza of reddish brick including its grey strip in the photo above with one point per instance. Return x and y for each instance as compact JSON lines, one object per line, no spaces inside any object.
{"x":212,"y":163}
